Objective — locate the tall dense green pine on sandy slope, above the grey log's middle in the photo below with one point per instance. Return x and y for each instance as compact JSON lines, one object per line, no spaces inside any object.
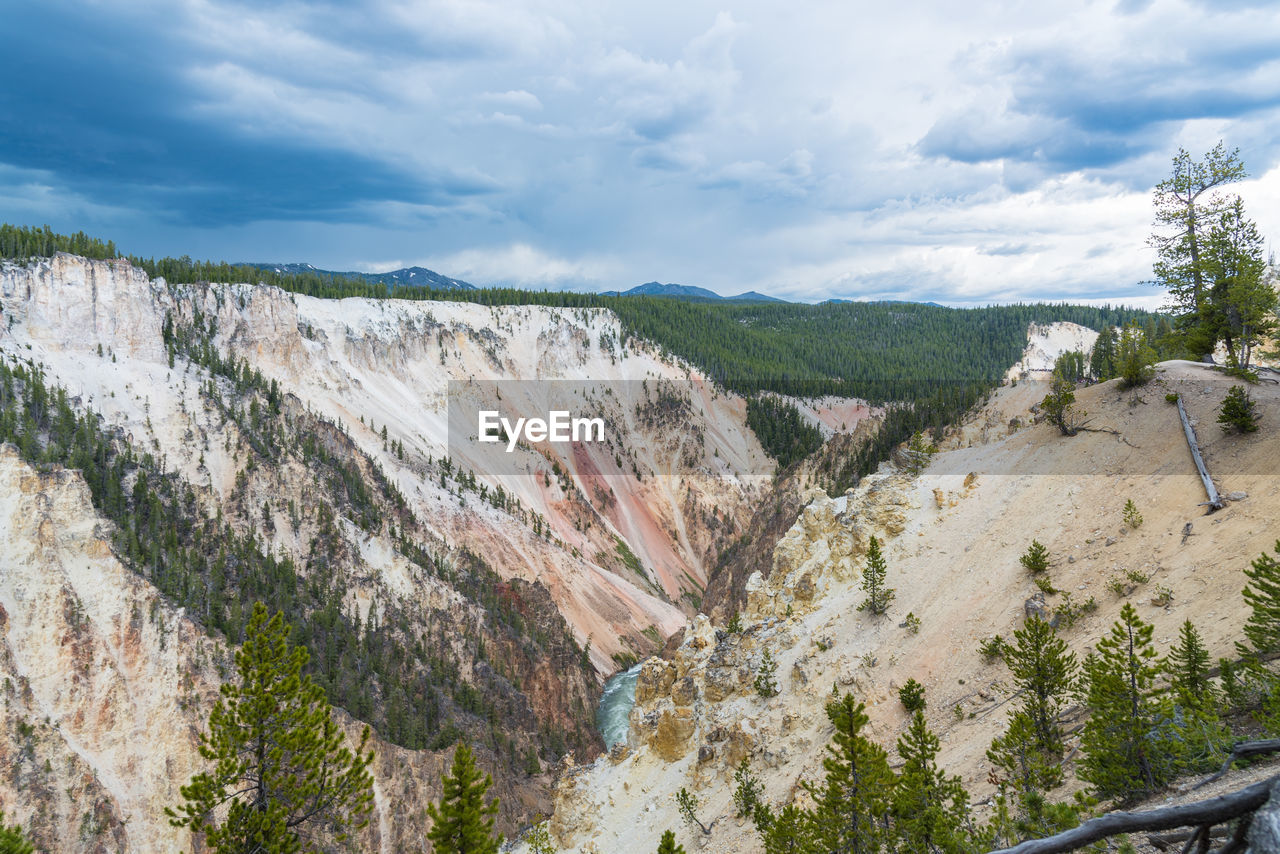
{"x":1128,"y":747}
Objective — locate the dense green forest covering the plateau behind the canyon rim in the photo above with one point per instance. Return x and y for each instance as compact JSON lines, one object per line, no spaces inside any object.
{"x":930,"y":362}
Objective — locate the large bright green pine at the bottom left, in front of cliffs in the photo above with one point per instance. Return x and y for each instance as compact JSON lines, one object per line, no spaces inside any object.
{"x":280,"y":760}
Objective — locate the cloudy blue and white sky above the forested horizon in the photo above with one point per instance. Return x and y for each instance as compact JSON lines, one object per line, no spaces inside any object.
{"x":922,"y":150}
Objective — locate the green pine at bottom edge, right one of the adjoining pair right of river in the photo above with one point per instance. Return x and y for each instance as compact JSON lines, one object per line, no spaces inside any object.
{"x":930,"y":809}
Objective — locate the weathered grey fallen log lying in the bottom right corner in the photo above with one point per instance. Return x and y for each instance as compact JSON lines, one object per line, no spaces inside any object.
{"x":1203,"y":814}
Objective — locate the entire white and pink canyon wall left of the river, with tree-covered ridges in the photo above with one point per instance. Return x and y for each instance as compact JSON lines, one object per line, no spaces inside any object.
{"x":310,"y":437}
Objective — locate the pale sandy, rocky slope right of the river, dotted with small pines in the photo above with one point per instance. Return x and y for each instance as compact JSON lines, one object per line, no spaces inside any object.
{"x":953,"y":544}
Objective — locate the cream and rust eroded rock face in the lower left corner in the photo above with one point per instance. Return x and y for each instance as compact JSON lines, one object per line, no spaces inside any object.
{"x":106,"y":686}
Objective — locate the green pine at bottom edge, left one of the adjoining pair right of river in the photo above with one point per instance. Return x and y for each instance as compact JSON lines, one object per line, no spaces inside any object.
{"x":853,"y":803}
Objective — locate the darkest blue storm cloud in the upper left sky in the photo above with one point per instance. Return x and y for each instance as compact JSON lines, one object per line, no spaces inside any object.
{"x":104,"y":108}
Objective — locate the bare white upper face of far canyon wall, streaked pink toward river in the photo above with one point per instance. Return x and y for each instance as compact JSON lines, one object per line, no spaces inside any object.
{"x":98,"y":328}
